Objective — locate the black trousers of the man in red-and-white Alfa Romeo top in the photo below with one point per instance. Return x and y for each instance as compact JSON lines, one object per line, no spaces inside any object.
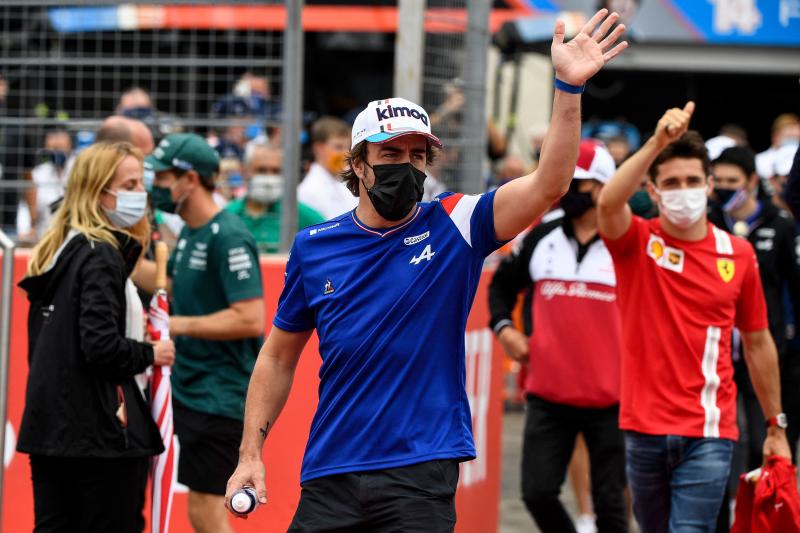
{"x":549,"y":440}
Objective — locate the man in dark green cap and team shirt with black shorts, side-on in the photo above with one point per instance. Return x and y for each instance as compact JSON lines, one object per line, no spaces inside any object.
{"x":218,"y":321}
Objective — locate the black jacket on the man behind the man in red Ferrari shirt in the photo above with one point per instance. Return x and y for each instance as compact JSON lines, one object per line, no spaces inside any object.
{"x":774,"y":238}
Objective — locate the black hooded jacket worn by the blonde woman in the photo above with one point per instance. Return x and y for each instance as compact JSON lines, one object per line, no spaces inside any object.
{"x":80,"y":362}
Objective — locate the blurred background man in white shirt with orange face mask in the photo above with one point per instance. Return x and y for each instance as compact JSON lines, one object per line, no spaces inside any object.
{"x":322,"y":189}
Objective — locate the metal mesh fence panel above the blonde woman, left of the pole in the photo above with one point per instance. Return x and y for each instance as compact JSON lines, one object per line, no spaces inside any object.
{"x":214,"y":68}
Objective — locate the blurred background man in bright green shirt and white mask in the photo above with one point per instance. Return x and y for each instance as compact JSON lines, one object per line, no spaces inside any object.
{"x":260,"y":208}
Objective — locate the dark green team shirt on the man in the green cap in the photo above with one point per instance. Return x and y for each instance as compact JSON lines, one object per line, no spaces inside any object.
{"x":212,"y":267}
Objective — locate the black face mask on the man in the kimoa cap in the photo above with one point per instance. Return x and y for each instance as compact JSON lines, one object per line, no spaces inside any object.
{"x":397,"y":188}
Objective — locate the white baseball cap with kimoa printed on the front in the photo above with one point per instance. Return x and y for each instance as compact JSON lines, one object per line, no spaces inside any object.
{"x":393,"y":117}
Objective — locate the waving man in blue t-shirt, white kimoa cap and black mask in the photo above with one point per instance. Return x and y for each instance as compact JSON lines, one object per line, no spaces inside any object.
{"x":388,"y":287}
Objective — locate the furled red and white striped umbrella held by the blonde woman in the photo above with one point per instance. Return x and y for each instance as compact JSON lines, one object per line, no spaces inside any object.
{"x":163,"y":467}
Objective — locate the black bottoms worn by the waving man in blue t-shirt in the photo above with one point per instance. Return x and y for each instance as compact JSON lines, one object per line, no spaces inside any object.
{"x":412,"y":499}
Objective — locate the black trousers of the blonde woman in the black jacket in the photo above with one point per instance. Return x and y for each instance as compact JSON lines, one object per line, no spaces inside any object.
{"x":83,"y":495}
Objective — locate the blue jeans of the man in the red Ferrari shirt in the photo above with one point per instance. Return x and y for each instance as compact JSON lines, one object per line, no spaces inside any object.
{"x":677,"y":483}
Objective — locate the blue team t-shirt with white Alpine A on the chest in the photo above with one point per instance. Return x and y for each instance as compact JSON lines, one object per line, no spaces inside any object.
{"x":390,"y":307}
